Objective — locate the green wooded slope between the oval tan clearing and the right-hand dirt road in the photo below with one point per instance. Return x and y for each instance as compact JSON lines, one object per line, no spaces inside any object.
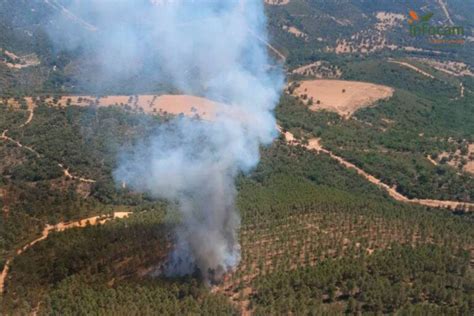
{"x":393,"y":139}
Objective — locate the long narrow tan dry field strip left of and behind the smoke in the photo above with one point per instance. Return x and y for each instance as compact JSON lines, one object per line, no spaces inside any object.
{"x":154,"y":104}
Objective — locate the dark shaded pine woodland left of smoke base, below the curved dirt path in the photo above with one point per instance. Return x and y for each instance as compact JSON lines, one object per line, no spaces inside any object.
{"x":95,"y":270}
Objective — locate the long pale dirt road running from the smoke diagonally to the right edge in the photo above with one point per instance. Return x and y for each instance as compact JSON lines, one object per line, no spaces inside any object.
{"x":314,"y":144}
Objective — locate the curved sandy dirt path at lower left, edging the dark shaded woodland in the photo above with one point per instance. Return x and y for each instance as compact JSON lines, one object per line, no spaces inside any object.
{"x":62,"y":226}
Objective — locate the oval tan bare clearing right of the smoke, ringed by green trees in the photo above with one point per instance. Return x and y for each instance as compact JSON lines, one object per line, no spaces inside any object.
{"x":340,"y":96}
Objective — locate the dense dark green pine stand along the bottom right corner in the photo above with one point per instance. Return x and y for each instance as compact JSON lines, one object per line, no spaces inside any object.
{"x":406,"y":280}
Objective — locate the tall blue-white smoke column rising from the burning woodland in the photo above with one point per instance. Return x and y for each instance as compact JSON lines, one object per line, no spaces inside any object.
{"x":210,"y":48}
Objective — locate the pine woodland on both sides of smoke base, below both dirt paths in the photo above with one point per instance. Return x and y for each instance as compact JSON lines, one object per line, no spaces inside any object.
{"x":297,"y":221}
